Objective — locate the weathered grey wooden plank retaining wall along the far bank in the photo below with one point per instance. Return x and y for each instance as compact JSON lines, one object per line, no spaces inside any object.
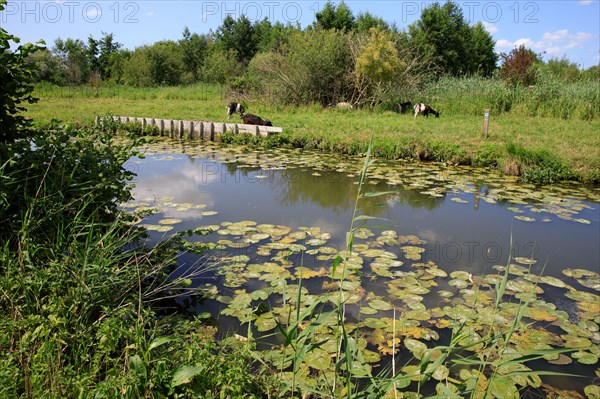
{"x":198,"y":130}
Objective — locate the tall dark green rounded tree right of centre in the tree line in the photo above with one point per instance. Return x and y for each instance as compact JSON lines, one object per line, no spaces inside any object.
{"x":446,"y":38}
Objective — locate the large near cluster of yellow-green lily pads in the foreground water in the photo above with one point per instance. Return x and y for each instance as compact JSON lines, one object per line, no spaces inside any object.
{"x":420,"y":300}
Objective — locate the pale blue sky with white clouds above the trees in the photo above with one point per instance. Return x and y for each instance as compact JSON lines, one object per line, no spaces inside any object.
{"x":560,"y":28}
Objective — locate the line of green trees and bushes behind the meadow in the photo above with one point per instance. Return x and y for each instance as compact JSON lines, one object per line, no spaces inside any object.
{"x":340,"y":57}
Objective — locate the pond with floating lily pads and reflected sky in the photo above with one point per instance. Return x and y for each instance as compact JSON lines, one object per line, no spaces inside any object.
{"x":428,"y":252}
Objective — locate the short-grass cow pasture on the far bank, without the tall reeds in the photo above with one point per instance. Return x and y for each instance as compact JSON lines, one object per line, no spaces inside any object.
{"x":574,"y":144}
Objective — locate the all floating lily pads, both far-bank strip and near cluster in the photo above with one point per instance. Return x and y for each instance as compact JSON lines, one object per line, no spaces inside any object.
{"x":275,"y":278}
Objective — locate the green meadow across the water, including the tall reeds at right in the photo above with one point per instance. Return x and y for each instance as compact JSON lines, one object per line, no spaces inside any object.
{"x":534,"y":139}
